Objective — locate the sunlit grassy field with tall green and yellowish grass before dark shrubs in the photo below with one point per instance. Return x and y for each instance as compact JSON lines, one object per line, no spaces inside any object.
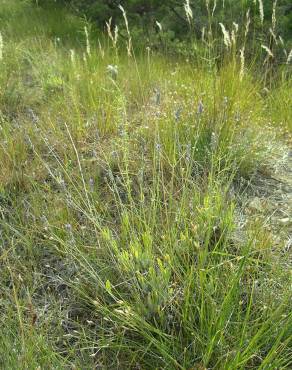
{"x":145,"y":201}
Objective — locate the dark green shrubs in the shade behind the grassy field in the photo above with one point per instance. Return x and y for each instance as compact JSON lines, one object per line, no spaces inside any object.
{"x":144,"y":15}
